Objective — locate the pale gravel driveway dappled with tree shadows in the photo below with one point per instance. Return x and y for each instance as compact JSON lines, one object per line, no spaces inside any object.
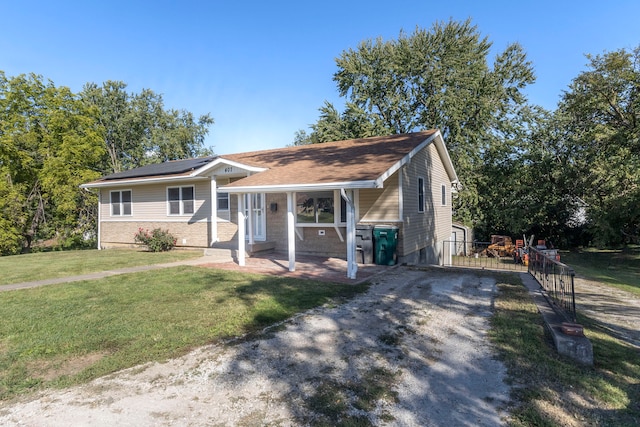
{"x":412,"y":351}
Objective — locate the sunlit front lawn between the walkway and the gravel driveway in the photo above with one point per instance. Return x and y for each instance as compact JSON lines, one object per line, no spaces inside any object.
{"x":60,"y":335}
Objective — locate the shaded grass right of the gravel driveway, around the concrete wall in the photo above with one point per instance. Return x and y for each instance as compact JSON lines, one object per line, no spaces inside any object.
{"x":553,"y":390}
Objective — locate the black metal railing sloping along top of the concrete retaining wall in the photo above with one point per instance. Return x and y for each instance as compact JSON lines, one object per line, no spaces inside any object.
{"x":556,"y":278}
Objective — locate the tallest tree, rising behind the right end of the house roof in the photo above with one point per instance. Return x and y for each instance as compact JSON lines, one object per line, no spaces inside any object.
{"x":438,"y":78}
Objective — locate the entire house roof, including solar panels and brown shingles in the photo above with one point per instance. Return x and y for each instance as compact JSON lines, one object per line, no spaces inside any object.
{"x":357,"y":162}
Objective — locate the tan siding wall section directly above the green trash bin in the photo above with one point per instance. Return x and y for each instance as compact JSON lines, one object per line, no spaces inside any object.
{"x":381,"y":204}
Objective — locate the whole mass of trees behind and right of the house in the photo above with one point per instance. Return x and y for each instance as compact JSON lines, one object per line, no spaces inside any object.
{"x":570,"y":175}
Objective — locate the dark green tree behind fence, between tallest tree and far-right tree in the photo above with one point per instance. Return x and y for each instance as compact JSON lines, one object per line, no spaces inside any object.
{"x":527,"y":184}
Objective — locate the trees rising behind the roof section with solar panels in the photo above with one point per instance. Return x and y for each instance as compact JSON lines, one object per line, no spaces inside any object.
{"x":138,"y":130}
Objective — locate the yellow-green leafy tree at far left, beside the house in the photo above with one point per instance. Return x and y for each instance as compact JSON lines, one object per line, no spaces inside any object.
{"x":49,"y":145}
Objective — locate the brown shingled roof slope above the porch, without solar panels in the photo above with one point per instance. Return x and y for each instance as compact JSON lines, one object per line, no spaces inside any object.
{"x":365,"y":159}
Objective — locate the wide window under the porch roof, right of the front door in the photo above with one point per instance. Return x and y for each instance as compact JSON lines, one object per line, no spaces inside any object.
{"x":319,"y":208}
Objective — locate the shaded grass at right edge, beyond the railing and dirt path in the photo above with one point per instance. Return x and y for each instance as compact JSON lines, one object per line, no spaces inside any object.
{"x":619,"y":268}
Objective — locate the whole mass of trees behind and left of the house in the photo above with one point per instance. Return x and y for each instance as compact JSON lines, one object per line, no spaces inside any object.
{"x":52,"y":140}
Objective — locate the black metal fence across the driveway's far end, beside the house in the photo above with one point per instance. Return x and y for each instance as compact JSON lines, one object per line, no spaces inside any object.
{"x":477,"y":255}
